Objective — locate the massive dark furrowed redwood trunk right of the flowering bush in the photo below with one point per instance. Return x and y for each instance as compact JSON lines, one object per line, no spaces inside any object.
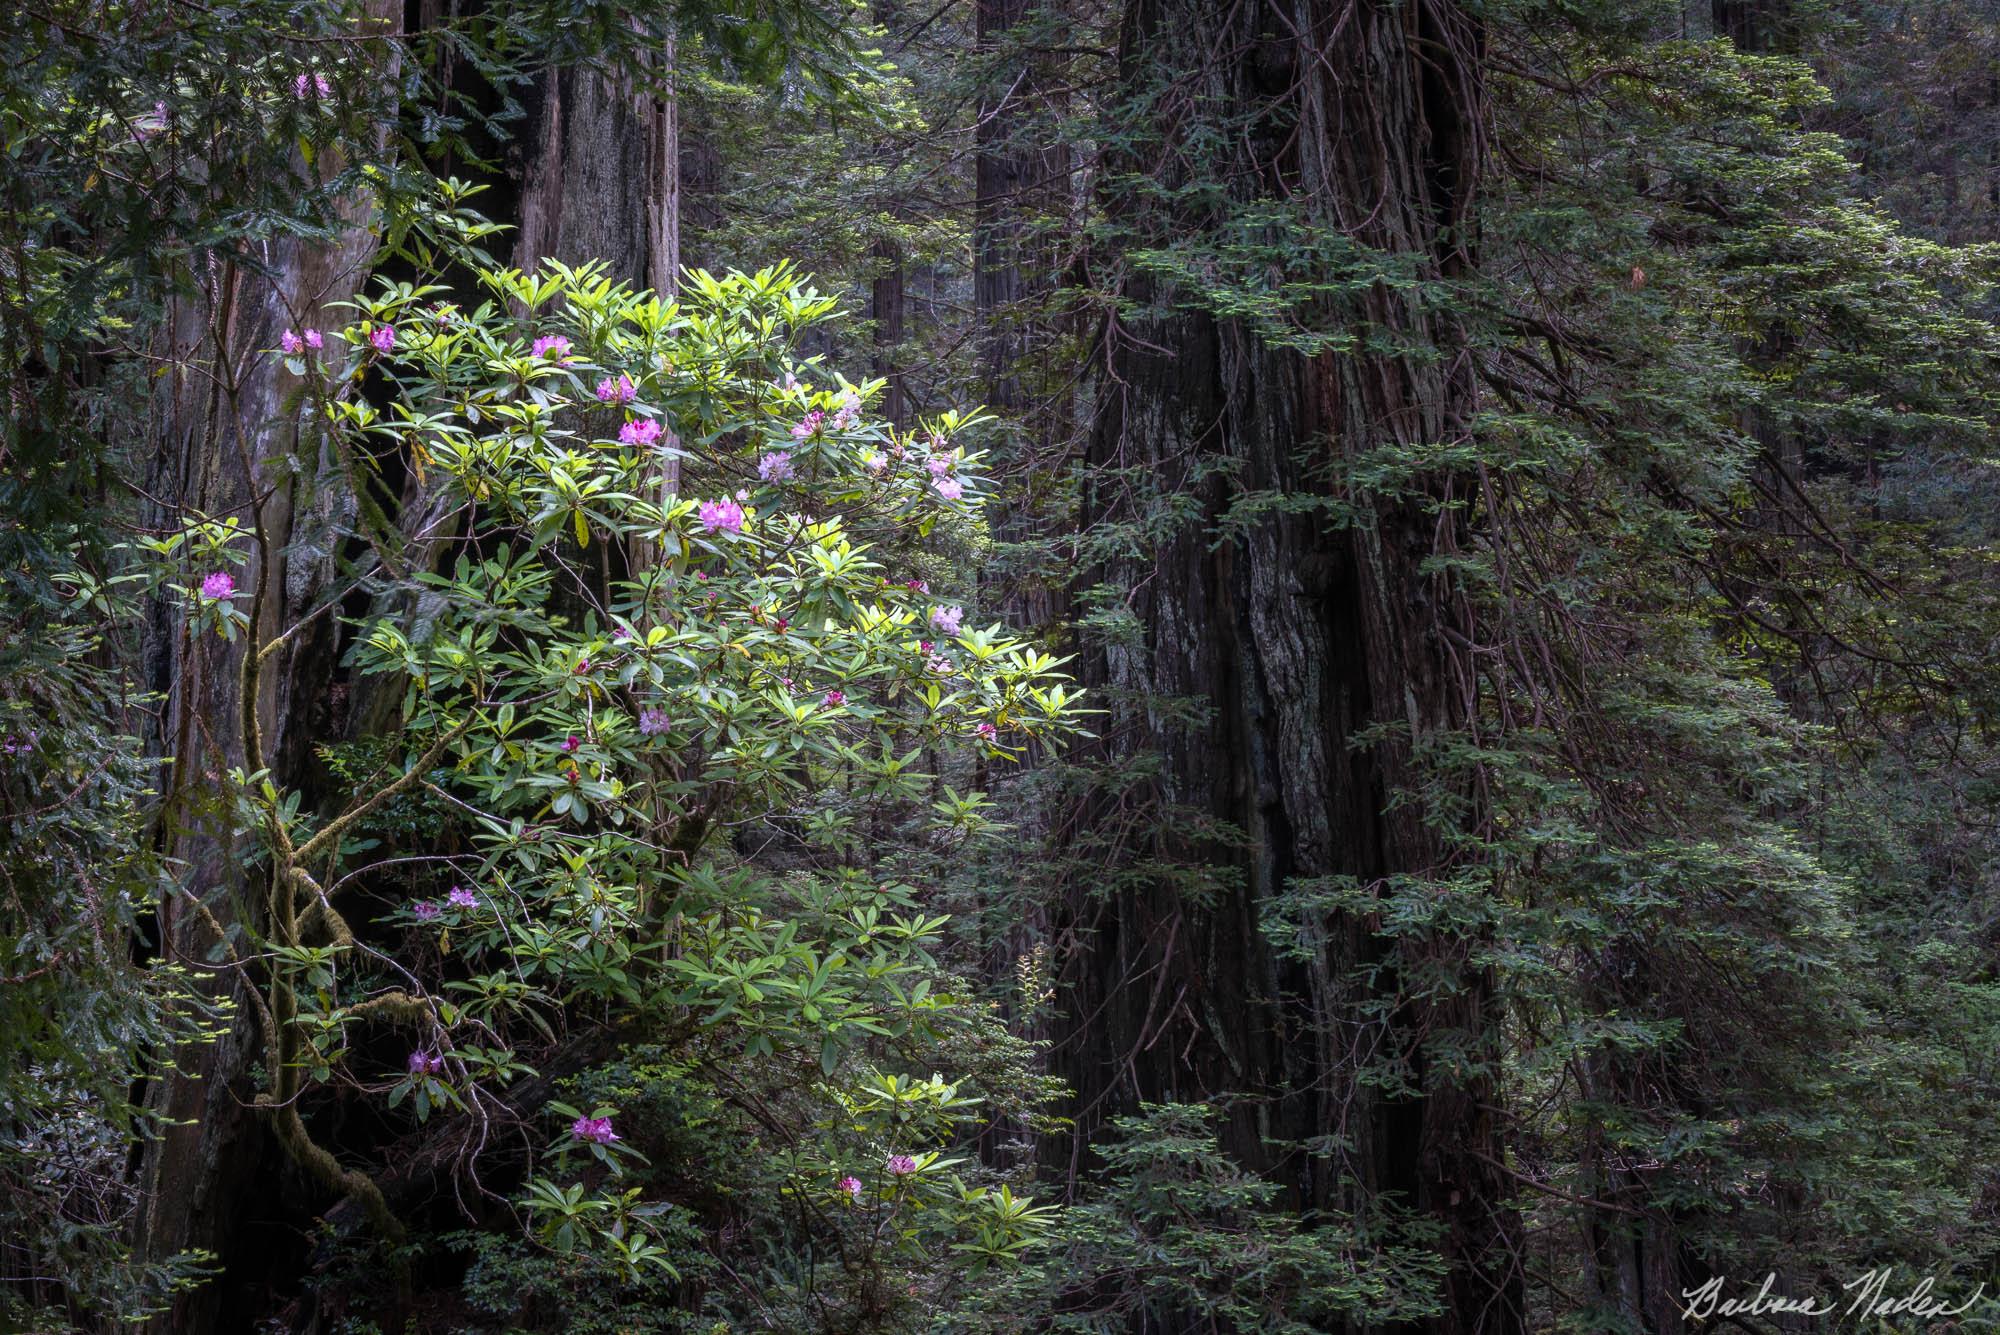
{"x":1293,"y":631}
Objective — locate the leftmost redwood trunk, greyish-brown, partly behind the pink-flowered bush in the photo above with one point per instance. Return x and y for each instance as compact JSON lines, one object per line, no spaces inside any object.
{"x":229,"y":447}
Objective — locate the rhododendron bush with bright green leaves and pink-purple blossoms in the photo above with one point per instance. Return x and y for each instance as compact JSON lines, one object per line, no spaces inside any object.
{"x":669,"y":661}
